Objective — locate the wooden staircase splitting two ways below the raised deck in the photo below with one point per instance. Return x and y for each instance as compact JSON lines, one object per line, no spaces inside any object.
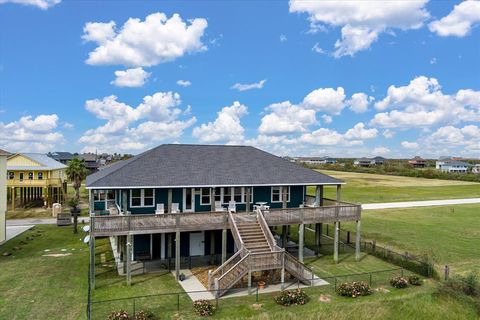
{"x":257,"y":251}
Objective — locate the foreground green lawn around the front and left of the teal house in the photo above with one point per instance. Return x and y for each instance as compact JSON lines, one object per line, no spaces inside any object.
{"x":35,"y":286}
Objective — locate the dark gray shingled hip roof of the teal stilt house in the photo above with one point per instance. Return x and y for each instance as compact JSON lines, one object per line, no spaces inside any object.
{"x":177,"y":165}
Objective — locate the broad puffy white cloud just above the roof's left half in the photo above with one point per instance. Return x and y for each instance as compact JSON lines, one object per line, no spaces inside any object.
{"x":130,"y":129}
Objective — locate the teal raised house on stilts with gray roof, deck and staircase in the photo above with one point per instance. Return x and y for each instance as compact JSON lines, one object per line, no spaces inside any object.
{"x":177,"y":201}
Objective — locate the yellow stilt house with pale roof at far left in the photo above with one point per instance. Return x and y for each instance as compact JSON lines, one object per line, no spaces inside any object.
{"x":33,"y":178}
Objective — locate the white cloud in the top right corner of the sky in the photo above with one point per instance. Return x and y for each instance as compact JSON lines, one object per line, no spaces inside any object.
{"x":459,"y":21}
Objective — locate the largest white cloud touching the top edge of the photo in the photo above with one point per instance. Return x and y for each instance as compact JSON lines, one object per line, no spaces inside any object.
{"x":362,"y":22}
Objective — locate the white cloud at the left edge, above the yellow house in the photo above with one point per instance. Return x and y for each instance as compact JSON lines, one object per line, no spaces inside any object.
{"x":30,"y":134}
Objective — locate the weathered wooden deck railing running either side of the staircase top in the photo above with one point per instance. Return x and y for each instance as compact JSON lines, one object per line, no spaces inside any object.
{"x":198,"y":221}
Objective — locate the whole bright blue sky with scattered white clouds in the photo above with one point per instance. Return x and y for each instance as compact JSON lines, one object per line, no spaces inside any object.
{"x":76,"y":76}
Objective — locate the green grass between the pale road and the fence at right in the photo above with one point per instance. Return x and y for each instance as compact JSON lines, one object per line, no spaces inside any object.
{"x":448,"y":234}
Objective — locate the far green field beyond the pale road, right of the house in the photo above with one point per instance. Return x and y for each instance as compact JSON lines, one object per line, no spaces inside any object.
{"x":374,"y":188}
